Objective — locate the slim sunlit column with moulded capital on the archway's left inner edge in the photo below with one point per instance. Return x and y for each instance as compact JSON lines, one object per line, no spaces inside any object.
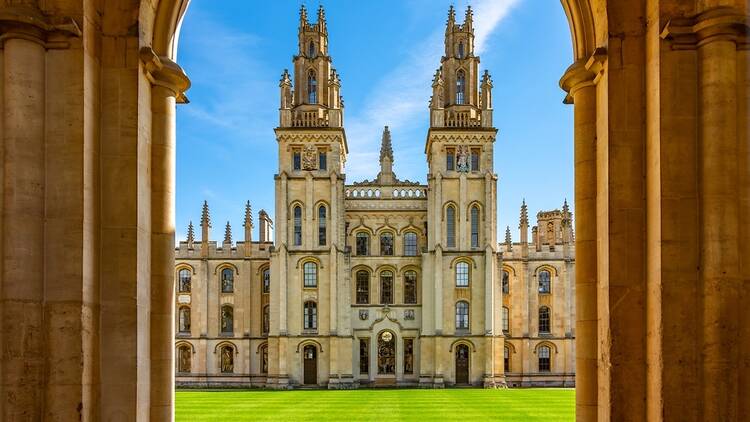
{"x":169,"y":83}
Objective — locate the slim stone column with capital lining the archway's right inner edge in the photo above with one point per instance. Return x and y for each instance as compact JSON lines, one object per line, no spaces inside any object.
{"x":578,"y":82}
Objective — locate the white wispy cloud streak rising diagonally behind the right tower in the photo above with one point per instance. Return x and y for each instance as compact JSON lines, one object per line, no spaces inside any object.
{"x":411,"y":82}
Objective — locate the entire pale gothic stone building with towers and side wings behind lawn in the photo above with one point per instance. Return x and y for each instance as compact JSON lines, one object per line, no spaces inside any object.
{"x":383,"y":282}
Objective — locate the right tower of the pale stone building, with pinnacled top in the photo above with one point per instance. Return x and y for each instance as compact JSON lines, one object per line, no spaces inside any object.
{"x":462,"y":209}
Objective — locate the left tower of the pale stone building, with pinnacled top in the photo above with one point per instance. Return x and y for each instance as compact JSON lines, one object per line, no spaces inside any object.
{"x":309,"y":295}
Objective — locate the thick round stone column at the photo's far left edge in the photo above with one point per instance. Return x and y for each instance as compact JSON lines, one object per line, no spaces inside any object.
{"x":23,"y":259}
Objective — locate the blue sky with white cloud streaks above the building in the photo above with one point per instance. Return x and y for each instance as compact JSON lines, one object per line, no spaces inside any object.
{"x":386,"y":53}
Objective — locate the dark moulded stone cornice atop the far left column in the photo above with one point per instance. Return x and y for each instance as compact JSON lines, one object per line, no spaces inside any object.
{"x":23,"y":22}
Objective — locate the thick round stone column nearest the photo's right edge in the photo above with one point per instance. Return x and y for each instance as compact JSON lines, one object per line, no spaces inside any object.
{"x":719,"y":219}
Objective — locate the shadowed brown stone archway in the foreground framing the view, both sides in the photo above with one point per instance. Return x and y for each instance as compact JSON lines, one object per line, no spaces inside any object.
{"x":660,"y":93}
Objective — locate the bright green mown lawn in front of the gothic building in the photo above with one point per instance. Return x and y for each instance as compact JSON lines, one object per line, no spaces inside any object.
{"x":532,"y":404}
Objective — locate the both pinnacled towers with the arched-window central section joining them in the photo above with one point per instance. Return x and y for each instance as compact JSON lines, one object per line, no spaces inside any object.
{"x":385,"y":282}
